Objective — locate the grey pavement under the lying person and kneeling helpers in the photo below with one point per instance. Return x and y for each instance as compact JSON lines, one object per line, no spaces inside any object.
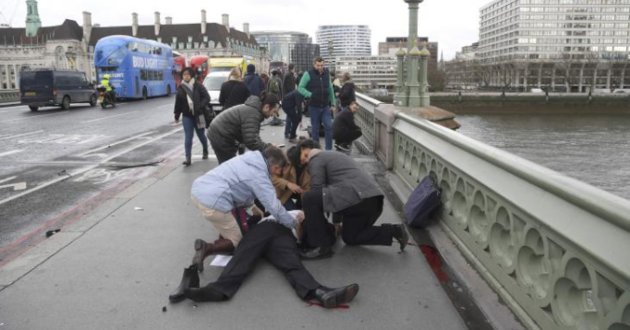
{"x":115,"y":267}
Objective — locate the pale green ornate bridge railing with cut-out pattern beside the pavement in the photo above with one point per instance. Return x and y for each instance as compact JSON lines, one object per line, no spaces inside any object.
{"x":555,"y":249}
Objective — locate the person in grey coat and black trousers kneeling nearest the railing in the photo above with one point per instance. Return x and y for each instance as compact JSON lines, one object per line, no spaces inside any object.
{"x":341,"y":187}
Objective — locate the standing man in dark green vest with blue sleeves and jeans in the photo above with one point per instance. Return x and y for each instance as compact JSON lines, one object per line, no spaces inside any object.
{"x":316,"y":86}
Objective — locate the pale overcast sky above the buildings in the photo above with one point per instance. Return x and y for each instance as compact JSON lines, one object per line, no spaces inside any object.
{"x":452,"y":23}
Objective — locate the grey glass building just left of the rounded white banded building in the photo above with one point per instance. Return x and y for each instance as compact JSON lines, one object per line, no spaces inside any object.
{"x":288,"y":47}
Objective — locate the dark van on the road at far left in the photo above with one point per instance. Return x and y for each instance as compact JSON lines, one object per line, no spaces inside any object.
{"x":47,"y":87}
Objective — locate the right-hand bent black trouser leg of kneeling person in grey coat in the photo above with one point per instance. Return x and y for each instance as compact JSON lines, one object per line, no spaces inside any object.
{"x":358,"y":224}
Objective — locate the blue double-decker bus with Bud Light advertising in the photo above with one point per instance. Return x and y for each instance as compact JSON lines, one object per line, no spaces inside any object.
{"x":138,"y":68}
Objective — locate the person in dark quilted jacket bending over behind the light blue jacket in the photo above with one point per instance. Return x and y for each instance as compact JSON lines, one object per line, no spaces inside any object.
{"x":241,"y":125}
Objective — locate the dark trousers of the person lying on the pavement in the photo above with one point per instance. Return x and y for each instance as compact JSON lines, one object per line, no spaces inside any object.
{"x":275,"y":243}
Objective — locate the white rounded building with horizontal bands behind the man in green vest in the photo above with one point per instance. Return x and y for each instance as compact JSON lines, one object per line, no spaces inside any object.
{"x":343,"y":40}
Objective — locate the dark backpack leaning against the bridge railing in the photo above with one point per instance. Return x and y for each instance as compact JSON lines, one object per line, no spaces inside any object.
{"x":422,"y":202}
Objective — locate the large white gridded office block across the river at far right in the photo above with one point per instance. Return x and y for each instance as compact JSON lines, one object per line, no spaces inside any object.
{"x":557,"y":45}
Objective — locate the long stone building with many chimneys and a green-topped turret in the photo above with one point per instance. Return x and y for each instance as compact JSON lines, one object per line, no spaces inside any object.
{"x":71,"y":46}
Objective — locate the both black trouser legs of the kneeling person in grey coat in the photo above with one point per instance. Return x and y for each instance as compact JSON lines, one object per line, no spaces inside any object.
{"x":358,"y":222}
